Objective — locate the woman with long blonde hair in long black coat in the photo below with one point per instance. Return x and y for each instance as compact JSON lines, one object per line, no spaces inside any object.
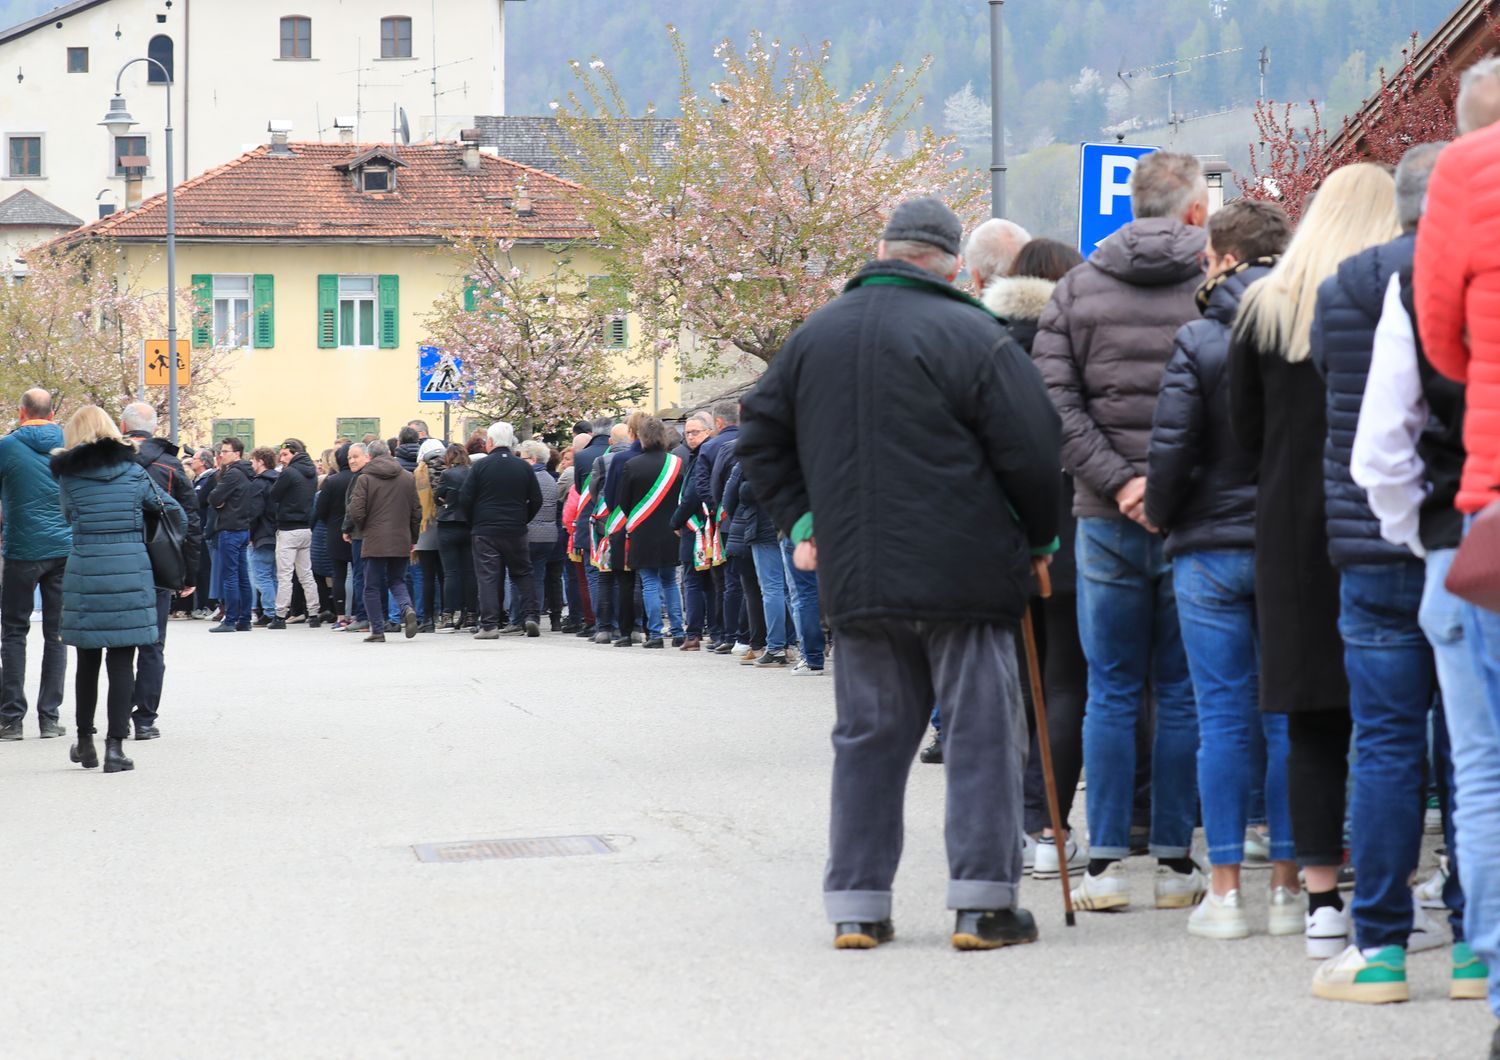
{"x":1279,"y":413}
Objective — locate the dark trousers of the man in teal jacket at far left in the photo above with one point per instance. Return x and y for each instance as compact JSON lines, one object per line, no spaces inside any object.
{"x":17,"y":594}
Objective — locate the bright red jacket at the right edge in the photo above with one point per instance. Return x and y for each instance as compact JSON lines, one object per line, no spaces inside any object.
{"x":1459,"y":298}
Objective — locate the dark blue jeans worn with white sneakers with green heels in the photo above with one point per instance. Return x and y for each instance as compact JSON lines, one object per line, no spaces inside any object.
{"x":1391,"y":686}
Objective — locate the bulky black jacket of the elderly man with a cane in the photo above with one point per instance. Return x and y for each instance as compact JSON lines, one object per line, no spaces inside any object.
{"x":820,"y":434}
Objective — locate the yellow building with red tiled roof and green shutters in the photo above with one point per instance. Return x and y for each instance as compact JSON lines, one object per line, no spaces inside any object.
{"x":314,"y":266}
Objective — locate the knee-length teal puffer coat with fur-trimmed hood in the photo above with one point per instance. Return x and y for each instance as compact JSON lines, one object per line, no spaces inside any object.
{"x":109,"y":591}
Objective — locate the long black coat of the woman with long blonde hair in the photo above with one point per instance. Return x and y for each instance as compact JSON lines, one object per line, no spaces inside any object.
{"x":1277,"y":412}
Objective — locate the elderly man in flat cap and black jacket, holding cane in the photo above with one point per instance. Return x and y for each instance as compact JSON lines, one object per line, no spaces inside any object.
{"x":920,"y":612}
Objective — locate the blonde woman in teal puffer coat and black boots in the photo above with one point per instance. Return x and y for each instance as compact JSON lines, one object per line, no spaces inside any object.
{"x":109,"y":591}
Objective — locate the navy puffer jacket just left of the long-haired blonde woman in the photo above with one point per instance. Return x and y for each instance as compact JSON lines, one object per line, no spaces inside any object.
{"x":1201,"y":482}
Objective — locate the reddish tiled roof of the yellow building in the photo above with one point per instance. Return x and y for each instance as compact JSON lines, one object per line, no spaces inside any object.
{"x":302,"y":196}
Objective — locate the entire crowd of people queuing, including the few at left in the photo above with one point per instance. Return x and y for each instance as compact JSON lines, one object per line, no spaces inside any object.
{"x":1244,"y":454}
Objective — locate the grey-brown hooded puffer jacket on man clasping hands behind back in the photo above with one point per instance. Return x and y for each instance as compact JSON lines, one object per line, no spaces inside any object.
{"x":1102,"y":347}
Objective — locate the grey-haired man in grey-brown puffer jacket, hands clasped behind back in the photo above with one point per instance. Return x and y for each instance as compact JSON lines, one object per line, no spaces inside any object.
{"x":1103,"y":344}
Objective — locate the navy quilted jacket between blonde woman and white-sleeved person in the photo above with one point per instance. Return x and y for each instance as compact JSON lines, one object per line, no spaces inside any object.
{"x":1349,"y":308}
